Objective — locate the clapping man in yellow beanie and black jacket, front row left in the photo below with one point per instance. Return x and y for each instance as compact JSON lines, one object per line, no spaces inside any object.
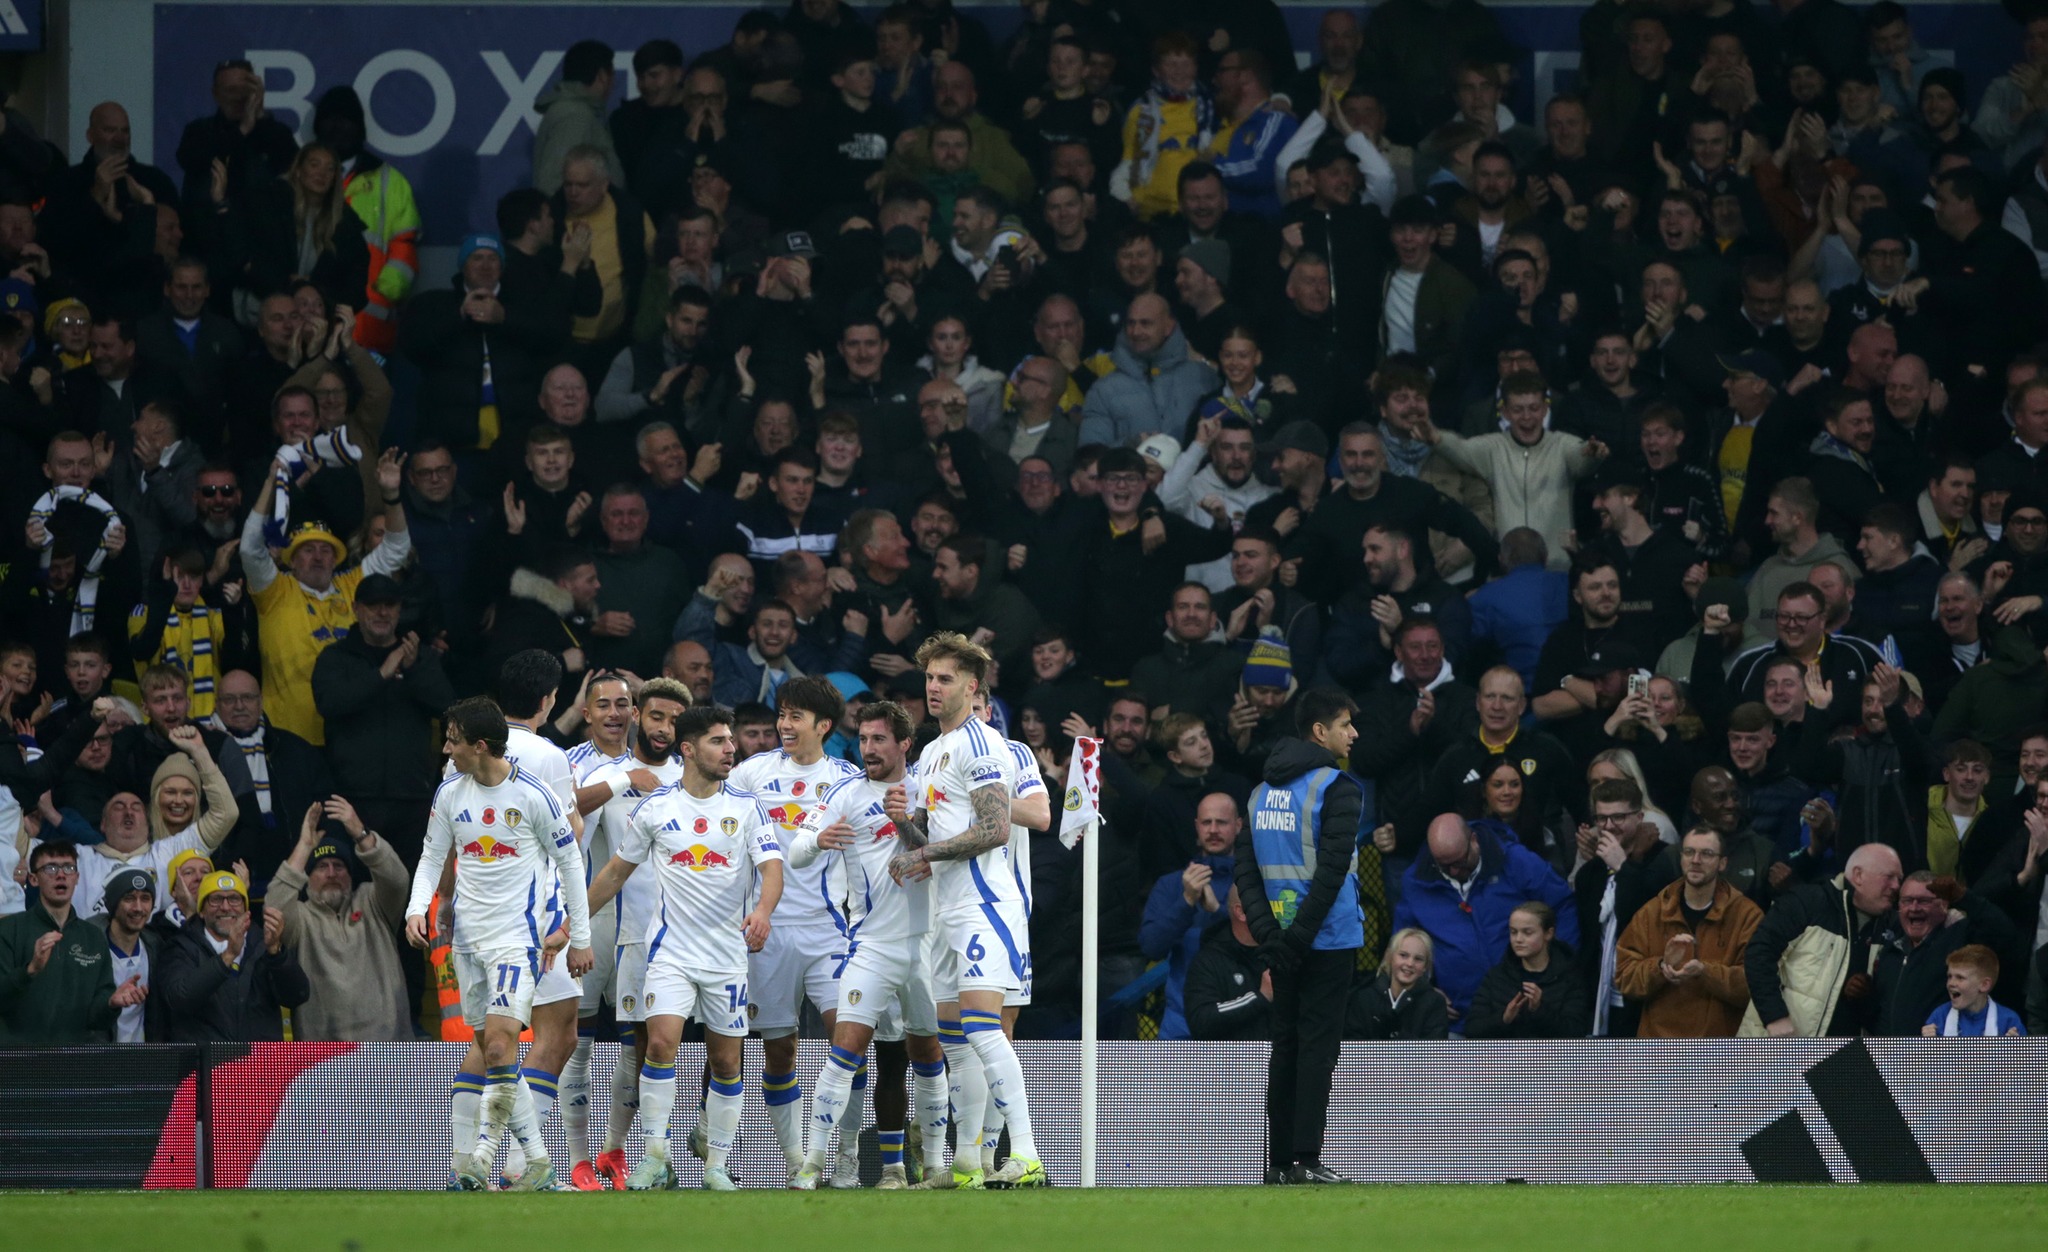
{"x":228,"y":976}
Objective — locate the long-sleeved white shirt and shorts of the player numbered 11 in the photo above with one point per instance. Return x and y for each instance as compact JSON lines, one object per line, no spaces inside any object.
{"x":513,"y":849}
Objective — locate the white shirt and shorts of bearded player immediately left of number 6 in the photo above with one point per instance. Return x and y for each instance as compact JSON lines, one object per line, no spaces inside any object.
{"x":884,"y":968}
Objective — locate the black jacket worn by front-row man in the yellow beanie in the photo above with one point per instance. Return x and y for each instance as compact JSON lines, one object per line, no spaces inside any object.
{"x":210,"y":1003}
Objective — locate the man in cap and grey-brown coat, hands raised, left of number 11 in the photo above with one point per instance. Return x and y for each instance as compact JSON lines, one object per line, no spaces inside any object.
{"x":345,"y":933}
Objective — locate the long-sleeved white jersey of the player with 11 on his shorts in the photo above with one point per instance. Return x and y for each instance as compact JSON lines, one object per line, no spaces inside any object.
{"x":511,"y":843}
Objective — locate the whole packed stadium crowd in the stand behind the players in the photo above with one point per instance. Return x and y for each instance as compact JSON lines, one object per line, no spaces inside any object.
{"x":1654,"y":483}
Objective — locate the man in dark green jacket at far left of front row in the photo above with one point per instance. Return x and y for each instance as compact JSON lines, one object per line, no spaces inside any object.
{"x":50,"y":997}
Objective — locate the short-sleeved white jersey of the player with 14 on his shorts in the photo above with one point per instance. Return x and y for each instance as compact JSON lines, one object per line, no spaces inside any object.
{"x":703,"y":855}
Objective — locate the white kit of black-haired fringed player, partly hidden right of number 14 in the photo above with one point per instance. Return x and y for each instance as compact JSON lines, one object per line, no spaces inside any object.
{"x":808,"y":935}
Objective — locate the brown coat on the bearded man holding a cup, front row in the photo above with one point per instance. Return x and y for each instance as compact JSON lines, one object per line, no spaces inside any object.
{"x":1709,"y":1007}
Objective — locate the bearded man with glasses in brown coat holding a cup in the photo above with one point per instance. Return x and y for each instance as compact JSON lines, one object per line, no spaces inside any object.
{"x":1682,"y":954}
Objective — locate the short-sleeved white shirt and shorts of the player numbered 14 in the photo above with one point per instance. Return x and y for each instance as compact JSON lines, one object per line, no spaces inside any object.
{"x":703,"y":855}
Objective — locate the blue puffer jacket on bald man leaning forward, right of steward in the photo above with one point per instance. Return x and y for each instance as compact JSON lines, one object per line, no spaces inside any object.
{"x":1471,"y":935}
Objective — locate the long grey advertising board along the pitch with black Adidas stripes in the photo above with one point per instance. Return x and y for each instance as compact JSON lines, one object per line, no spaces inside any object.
{"x":374,"y":1116}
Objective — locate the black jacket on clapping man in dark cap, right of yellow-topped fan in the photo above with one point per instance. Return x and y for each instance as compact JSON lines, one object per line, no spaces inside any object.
{"x":380,"y":739}
